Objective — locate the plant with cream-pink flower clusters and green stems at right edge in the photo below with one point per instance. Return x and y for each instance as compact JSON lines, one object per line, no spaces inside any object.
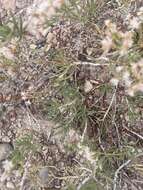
{"x":123,"y":48}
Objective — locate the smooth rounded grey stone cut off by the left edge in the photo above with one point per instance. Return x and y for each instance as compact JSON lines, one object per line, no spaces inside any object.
{"x":5,"y":150}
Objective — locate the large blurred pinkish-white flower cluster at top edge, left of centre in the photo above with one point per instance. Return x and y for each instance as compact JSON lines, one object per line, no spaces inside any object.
{"x":38,"y":14}
